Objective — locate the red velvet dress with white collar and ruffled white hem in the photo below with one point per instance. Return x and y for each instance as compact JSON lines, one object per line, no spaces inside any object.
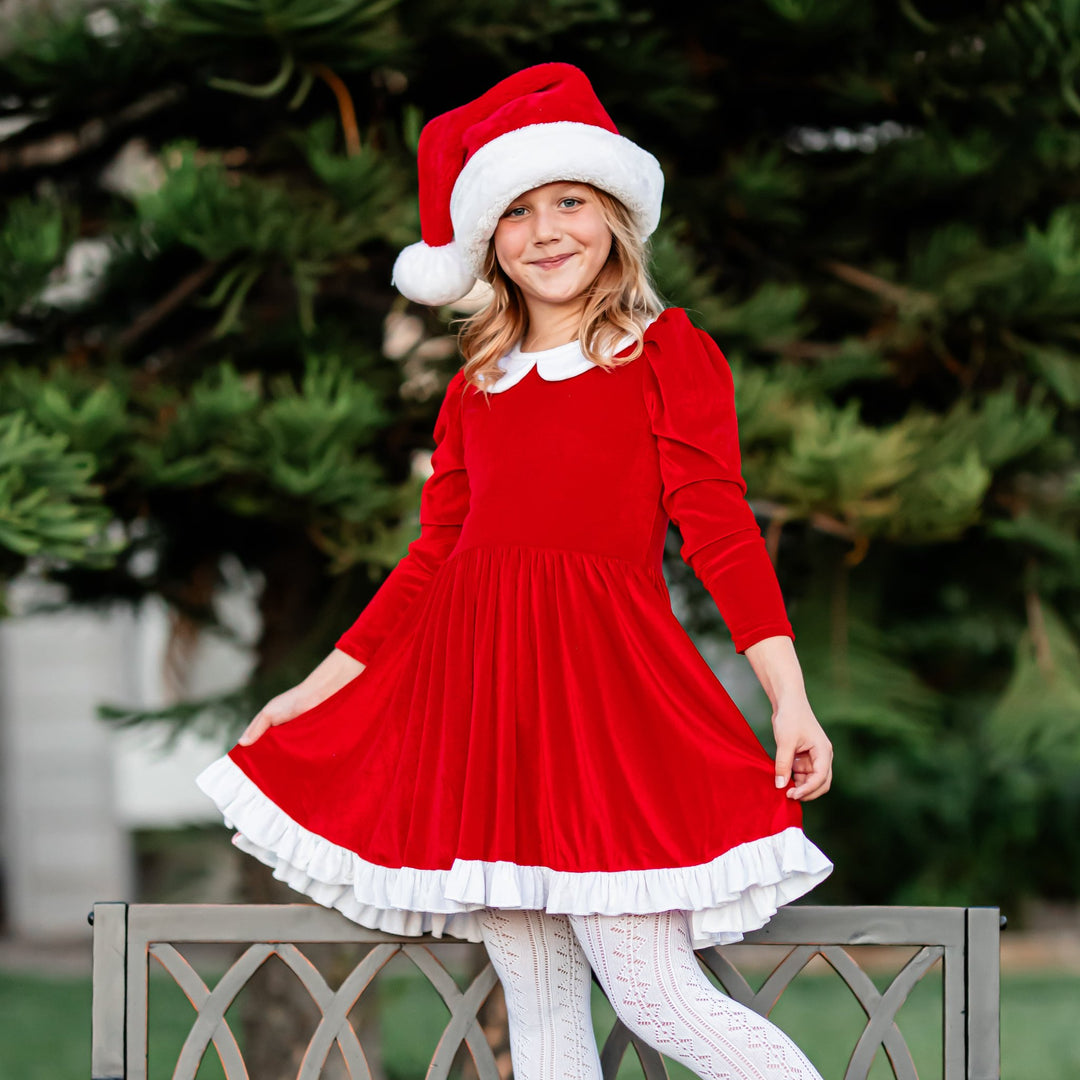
{"x":534,"y":727}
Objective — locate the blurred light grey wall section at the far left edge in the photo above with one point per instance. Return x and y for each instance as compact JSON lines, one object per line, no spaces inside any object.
{"x":63,"y":844}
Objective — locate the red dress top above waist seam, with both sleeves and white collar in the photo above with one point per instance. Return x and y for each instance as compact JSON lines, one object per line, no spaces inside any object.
{"x":571,"y":457}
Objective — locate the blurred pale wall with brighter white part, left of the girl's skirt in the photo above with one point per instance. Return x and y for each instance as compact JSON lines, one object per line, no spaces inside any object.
{"x":72,"y":787}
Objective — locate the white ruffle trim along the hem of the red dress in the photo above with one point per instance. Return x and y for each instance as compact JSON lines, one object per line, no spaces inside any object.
{"x":730,"y":897}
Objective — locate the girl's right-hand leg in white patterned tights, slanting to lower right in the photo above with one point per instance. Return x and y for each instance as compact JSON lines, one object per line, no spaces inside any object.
{"x":647,"y":967}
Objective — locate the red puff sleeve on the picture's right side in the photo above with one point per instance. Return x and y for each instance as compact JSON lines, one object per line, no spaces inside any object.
{"x":690,"y":396}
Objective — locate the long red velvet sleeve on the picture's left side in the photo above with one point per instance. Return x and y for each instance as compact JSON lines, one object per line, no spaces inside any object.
{"x":444,"y":503}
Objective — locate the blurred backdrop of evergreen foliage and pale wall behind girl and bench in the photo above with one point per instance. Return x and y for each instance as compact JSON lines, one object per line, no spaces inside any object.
{"x":217,"y":413}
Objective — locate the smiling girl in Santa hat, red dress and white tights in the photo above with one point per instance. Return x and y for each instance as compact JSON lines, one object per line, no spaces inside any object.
{"x":517,"y":742}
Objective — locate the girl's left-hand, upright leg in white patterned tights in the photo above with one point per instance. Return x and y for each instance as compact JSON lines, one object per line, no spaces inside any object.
{"x":547,"y":982}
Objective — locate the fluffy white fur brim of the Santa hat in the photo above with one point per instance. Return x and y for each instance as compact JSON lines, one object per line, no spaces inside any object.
{"x":542,"y":154}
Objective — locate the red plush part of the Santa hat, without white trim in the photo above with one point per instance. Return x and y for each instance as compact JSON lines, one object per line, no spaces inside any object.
{"x":542,"y":94}
